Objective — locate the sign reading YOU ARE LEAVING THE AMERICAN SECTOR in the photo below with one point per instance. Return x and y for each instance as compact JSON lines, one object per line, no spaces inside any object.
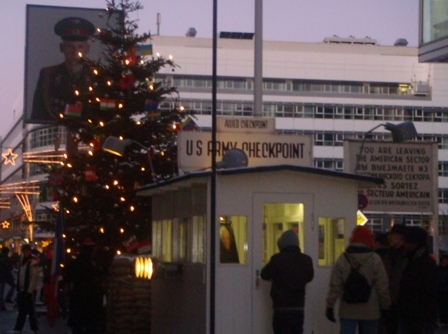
{"x":409,"y":169}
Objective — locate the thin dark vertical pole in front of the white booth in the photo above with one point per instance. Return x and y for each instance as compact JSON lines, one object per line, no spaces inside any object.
{"x":213,"y":178}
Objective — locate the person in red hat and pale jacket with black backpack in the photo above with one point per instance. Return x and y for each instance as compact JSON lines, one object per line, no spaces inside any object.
{"x":360,"y":283}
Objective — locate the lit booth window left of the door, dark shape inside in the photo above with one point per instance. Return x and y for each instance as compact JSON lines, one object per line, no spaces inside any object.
{"x":233,"y":239}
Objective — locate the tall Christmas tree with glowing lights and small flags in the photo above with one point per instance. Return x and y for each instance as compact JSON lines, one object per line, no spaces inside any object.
{"x":122,"y":100}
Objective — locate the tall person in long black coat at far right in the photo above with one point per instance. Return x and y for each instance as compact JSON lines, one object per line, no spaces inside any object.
{"x":417,"y":296}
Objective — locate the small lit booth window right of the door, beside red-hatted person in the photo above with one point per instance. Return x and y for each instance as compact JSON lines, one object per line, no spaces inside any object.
{"x":331,"y":240}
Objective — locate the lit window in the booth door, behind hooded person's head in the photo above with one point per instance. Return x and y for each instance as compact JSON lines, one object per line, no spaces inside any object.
{"x":278,"y":218}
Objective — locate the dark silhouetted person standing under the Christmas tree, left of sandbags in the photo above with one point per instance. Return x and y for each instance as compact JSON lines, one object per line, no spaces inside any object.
{"x":86,"y":297}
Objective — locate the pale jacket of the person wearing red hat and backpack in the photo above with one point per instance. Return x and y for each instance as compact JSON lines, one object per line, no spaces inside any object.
{"x":373,"y":269}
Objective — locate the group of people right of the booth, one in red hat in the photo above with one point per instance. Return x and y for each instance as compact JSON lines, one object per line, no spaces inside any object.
{"x":408,"y":290}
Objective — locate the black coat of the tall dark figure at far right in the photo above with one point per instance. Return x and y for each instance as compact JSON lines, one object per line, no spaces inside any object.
{"x":417,"y":298}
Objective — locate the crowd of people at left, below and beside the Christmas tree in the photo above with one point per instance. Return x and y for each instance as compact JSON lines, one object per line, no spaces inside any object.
{"x":25,"y":280}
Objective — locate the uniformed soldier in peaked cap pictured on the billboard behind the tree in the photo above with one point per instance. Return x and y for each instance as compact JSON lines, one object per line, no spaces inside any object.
{"x":55,"y":90}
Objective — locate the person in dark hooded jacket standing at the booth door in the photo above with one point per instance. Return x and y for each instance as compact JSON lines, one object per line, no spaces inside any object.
{"x":289,"y":271}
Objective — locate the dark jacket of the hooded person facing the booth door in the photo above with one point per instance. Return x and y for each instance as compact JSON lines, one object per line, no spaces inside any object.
{"x":290,"y":271}
